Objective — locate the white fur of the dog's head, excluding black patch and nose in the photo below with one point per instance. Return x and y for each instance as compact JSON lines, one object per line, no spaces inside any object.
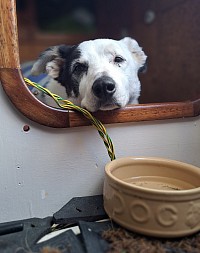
{"x":100,"y":55}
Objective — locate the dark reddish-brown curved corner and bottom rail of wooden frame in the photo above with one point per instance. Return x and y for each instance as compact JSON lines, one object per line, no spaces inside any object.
{"x":16,"y":89}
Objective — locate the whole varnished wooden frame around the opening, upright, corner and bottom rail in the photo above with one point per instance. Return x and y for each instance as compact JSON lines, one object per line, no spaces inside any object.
{"x":17,"y":91}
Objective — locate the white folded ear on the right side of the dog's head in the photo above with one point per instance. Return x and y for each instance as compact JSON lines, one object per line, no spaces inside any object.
{"x":136,"y":51}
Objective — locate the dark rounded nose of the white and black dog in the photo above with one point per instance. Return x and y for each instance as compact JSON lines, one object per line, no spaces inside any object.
{"x":104,"y":87}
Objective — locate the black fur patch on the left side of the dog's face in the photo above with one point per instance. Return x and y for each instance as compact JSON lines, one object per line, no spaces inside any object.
{"x":66,"y":77}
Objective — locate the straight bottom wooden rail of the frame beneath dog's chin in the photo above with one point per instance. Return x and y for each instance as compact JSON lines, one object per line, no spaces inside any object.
{"x":135,"y":113}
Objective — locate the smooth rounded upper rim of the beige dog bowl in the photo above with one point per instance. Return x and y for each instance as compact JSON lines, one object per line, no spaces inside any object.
{"x":109,"y":166}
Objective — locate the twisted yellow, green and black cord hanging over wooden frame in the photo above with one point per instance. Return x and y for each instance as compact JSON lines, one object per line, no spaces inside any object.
{"x":66,"y":104}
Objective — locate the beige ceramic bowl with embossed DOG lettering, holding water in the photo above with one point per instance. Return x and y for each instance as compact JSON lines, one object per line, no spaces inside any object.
{"x":153,"y":196}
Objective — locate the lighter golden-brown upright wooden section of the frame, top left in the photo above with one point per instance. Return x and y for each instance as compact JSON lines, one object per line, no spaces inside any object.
{"x":9,"y":52}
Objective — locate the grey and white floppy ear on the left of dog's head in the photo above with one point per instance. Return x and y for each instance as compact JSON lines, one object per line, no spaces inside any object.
{"x":50,"y":61}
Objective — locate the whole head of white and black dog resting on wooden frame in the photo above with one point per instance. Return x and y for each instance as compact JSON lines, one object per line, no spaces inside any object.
{"x":102,"y":74}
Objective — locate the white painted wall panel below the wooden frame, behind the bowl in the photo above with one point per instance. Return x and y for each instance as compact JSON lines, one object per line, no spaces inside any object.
{"x":41,"y":170}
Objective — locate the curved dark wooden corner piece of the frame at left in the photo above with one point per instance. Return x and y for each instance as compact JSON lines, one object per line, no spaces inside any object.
{"x":19,"y":94}
